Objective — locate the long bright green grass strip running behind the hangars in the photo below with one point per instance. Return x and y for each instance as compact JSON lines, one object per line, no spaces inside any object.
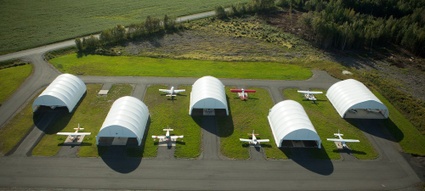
{"x":143,"y":66}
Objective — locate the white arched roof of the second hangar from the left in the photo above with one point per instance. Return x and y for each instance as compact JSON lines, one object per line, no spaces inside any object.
{"x":127,"y":118}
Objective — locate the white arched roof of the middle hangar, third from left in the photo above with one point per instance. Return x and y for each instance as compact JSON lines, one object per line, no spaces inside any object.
{"x":208,"y":93}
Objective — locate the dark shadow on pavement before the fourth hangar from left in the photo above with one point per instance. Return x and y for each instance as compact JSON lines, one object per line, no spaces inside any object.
{"x":315,"y":160}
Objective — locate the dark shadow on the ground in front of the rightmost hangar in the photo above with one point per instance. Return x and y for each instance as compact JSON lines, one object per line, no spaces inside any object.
{"x":383,"y":128}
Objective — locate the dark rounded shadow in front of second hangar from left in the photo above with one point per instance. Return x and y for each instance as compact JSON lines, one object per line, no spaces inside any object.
{"x":116,"y":158}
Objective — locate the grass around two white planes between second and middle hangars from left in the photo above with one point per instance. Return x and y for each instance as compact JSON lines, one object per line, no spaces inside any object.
{"x":174,"y":114}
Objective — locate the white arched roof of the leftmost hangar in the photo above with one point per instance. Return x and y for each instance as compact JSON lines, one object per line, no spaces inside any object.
{"x":65,"y":91}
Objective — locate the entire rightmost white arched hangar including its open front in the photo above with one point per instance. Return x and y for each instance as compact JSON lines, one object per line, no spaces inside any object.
{"x":352,"y":99}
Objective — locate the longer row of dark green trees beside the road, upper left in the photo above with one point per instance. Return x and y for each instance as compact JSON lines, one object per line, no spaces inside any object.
{"x":120,"y":34}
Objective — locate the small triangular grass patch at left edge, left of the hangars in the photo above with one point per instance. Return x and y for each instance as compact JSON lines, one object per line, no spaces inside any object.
{"x":11,"y":79}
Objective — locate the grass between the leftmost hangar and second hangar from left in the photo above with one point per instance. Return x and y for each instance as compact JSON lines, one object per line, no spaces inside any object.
{"x":90,"y":113}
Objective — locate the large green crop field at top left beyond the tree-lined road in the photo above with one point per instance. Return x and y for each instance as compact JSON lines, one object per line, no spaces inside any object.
{"x":26,"y":23}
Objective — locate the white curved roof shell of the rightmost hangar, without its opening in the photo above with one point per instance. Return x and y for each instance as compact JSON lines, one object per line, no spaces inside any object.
{"x":352,"y":94}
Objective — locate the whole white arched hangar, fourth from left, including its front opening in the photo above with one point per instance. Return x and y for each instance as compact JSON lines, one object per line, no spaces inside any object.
{"x":291,"y":126}
